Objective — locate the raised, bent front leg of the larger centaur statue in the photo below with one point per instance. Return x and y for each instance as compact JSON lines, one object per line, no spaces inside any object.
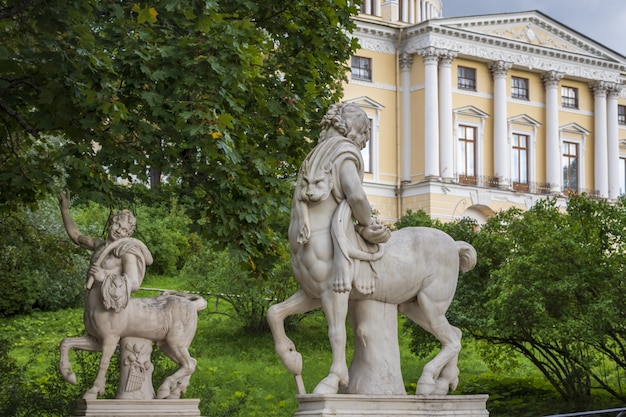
{"x":298,"y":303}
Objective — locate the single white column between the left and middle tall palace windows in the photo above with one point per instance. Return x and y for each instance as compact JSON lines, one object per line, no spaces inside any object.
{"x":499,"y":70}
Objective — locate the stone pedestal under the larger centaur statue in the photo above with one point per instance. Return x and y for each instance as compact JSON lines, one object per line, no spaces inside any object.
{"x":348,"y":405}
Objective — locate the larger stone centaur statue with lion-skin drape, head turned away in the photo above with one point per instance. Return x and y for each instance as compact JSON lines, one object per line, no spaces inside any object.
{"x":336,"y":259}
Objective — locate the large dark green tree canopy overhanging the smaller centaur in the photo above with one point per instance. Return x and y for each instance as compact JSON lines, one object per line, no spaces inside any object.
{"x":213,"y":101}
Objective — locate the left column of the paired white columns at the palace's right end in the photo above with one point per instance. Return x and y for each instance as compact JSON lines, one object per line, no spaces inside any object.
{"x":601,"y":172}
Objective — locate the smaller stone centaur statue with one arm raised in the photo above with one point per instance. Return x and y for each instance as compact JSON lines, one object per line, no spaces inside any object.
{"x":116,"y":270}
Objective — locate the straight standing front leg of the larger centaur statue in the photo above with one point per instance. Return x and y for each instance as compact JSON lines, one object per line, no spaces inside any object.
{"x":335,"y":307}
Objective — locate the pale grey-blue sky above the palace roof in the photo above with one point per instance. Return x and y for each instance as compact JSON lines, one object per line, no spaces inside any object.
{"x":604,"y":21}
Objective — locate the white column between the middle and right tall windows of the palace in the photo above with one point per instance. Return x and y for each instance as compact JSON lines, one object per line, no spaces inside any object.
{"x":553,"y":145}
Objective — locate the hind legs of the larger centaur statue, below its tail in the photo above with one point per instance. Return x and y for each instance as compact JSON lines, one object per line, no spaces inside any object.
{"x":440,"y":374}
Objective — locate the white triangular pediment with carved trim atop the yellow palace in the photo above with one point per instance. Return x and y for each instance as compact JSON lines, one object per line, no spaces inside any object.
{"x":526,"y":39}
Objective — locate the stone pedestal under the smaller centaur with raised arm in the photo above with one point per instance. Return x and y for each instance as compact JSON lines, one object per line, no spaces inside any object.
{"x":130,"y":408}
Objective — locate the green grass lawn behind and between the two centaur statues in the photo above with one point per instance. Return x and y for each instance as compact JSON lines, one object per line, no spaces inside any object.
{"x":239,"y":374}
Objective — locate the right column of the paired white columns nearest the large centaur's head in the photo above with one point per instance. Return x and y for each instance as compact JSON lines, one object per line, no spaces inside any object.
{"x":446,"y":135}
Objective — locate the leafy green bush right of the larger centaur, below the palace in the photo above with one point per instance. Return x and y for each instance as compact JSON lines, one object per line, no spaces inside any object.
{"x":549,"y":284}
